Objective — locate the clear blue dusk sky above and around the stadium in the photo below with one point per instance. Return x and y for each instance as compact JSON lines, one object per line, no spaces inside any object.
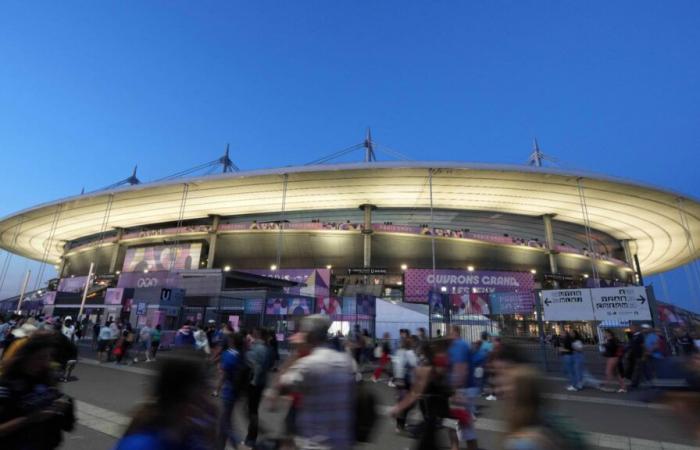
{"x":89,"y":89}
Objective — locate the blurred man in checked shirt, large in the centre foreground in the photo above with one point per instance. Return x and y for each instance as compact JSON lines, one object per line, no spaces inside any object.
{"x":325,"y":382}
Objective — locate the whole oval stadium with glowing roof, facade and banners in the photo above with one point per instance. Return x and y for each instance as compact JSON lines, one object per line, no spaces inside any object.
{"x":232,"y":245}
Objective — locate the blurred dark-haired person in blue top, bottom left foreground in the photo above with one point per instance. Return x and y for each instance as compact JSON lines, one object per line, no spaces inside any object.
{"x":179,"y":414}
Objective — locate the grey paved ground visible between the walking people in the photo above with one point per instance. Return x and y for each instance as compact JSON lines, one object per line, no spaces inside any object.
{"x":107,"y":393}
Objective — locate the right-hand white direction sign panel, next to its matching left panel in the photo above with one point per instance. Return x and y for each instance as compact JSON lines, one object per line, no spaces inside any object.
{"x":621,"y":303}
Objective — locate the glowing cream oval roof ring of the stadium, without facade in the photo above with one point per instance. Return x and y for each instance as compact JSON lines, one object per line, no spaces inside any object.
{"x":657,"y":222}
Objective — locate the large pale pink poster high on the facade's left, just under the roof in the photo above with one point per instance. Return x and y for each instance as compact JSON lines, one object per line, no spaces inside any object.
{"x":162,"y":257}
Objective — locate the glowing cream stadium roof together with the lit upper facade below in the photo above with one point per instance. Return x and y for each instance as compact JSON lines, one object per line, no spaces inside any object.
{"x":487,"y":216}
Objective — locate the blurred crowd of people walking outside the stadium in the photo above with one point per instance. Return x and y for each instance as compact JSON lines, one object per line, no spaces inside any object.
{"x":214,"y":373}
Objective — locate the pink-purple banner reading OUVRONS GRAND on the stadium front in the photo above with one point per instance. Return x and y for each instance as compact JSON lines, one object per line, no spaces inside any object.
{"x":418,"y":282}
